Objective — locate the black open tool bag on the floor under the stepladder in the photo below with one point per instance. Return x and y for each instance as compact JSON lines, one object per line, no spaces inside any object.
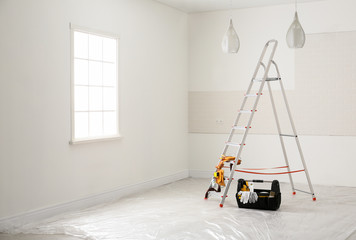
{"x":267,"y":199}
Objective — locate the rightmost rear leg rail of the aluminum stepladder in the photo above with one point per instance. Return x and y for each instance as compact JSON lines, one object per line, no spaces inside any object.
{"x":296,"y":138}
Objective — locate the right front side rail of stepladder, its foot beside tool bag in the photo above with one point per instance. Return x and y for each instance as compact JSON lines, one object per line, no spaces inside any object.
{"x":251,"y":116}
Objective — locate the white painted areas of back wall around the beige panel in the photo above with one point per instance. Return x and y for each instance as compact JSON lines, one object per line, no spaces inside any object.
{"x":329,"y":157}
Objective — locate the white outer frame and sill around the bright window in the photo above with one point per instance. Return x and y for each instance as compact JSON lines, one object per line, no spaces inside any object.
{"x":75,"y":28}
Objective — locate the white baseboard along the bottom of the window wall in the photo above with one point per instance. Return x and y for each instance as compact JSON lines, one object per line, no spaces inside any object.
{"x":10,"y":223}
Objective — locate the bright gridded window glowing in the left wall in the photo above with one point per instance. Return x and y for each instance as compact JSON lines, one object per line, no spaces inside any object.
{"x":94,"y":86}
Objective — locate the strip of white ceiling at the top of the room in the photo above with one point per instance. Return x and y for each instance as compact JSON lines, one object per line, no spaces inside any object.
{"x":192,"y":6}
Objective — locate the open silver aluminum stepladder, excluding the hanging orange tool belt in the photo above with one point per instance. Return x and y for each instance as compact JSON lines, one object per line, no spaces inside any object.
{"x":246,"y":128}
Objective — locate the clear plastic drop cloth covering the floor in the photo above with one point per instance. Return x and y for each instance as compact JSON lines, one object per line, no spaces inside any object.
{"x":178,"y":211}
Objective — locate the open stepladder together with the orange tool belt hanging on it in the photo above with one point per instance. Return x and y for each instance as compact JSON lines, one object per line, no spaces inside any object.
{"x":228,"y":165}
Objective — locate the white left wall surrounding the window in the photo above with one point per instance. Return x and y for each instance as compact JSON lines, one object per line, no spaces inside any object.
{"x":38,"y":168}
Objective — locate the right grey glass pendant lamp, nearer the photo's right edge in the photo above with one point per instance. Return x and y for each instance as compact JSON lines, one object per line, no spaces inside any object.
{"x":295,"y":35}
